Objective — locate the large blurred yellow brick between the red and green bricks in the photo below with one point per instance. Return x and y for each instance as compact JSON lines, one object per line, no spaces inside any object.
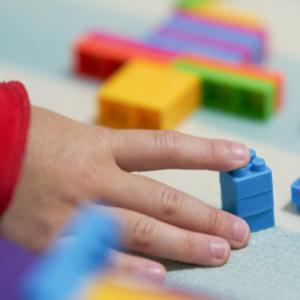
{"x":147,"y":94}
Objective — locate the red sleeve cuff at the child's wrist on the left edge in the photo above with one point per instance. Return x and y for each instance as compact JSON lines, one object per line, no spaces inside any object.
{"x":14,"y":123}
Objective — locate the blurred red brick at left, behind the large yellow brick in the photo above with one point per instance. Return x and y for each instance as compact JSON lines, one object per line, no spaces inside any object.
{"x":100,"y":55}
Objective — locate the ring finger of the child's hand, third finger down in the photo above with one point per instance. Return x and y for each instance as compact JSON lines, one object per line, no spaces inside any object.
{"x":153,"y":237}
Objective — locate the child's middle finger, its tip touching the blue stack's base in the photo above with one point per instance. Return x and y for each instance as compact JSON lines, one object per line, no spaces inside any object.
{"x":164,"y":203}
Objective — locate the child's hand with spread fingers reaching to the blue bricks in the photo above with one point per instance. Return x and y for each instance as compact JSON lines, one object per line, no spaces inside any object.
{"x":68,"y":162}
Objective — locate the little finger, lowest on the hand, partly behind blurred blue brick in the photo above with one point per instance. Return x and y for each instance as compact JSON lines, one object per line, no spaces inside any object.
{"x":138,"y":267}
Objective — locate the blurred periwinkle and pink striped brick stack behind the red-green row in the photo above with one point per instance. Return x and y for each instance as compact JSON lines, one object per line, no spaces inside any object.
{"x":214,"y":39}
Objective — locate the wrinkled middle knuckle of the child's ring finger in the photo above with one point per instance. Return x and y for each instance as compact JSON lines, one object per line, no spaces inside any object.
{"x":144,"y":231}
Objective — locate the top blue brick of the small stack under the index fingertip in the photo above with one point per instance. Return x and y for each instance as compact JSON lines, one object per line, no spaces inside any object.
{"x":251,"y":180}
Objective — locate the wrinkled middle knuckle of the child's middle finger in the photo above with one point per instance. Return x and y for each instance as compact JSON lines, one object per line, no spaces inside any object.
{"x":172,"y":202}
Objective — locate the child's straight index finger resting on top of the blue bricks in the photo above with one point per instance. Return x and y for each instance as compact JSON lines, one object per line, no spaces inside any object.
{"x":138,"y":150}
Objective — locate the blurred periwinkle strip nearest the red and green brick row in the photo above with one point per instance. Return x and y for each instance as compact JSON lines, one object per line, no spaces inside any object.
{"x":171,"y":43}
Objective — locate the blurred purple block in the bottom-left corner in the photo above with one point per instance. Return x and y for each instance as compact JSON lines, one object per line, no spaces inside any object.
{"x":14,"y":264}
